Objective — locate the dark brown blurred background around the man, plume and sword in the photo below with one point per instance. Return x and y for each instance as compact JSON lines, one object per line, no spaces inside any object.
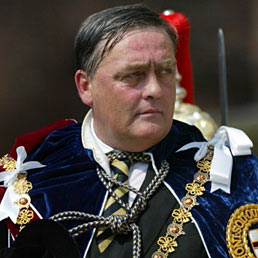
{"x":36,"y":60}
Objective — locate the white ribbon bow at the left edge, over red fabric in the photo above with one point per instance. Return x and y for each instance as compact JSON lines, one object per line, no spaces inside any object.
{"x":8,"y":206}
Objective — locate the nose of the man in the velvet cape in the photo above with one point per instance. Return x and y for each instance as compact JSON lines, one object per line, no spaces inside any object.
{"x":152,"y":88}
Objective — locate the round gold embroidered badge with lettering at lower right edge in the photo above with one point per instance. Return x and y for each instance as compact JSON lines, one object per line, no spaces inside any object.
{"x":238,"y":229}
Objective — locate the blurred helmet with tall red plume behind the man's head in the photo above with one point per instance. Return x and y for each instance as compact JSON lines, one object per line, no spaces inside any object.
{"x":185,"y":110}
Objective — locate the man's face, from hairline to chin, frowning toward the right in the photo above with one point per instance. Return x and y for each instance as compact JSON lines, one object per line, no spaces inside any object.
{"x":132,"y":93}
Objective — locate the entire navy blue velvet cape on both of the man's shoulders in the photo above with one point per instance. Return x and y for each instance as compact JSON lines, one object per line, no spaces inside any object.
{"x":69,"y":181}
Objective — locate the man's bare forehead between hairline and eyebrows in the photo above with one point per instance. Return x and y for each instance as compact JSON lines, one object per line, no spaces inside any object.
{"x":140,"y":47}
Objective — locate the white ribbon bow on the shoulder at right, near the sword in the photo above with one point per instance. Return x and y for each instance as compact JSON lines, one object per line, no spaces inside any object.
{"x":225,"y":140}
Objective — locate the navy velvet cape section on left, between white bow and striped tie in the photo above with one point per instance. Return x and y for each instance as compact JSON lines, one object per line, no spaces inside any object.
{"x":69,"y":181}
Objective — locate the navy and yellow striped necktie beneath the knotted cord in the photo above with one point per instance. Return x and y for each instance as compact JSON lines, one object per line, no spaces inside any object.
{"x":119,"y":165}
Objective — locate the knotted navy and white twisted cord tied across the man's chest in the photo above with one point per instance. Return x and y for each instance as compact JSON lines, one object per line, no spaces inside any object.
{"x":121,"y":224}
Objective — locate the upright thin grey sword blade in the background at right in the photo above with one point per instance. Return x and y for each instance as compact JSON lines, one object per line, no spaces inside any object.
{"x":222,"y":78}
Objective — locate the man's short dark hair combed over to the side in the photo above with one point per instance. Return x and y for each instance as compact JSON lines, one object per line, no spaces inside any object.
{"x":100,"y":32}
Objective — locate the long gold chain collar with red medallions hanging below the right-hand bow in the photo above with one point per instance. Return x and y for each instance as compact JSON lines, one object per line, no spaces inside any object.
{"x":182,"y":215}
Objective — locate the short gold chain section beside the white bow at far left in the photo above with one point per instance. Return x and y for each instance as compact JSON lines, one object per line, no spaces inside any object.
{"x":22,"y":187}
